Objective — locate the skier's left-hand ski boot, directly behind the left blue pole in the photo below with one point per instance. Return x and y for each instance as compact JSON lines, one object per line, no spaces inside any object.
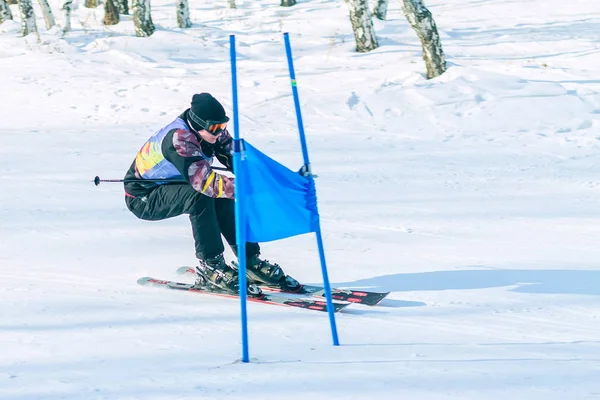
{"x":214,"y":274}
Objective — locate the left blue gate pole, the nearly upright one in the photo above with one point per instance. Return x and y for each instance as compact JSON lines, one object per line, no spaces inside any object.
{"x":240,"y":222}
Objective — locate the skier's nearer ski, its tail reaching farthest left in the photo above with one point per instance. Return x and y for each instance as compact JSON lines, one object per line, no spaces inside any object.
{"x":280,"y":300}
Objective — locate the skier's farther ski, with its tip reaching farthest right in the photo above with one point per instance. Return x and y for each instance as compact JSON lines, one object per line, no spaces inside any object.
{"x":349,"y":295}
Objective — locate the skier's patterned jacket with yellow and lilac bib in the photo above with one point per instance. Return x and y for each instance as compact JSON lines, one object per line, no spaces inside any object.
{"x":175,"y":153}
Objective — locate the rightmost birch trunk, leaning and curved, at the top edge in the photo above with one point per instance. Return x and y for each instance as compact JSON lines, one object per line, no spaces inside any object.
{"x":422,"y":22}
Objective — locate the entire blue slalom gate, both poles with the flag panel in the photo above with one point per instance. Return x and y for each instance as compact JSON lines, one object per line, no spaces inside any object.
{"x":271,"y":201}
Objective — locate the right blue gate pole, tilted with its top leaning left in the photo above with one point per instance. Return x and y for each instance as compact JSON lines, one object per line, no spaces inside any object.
{"x":327,"y":287}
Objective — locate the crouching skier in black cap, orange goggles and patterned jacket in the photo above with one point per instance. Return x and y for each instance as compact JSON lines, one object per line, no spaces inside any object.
{"x":181,"y":154}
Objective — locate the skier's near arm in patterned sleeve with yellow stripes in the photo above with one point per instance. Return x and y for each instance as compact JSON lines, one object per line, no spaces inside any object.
{"x":186,"y":154}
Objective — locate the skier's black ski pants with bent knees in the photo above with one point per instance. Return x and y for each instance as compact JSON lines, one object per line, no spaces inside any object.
{"x":210,"y":217}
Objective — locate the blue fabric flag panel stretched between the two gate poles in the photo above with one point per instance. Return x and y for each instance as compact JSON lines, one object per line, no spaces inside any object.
{"x":278,"y":202}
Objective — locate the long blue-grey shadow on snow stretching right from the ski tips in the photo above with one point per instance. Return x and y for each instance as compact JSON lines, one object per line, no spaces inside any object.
{"x":578,"y":282}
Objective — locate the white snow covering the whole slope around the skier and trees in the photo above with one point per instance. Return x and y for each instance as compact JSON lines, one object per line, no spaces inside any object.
{"x":472,"y":197}
